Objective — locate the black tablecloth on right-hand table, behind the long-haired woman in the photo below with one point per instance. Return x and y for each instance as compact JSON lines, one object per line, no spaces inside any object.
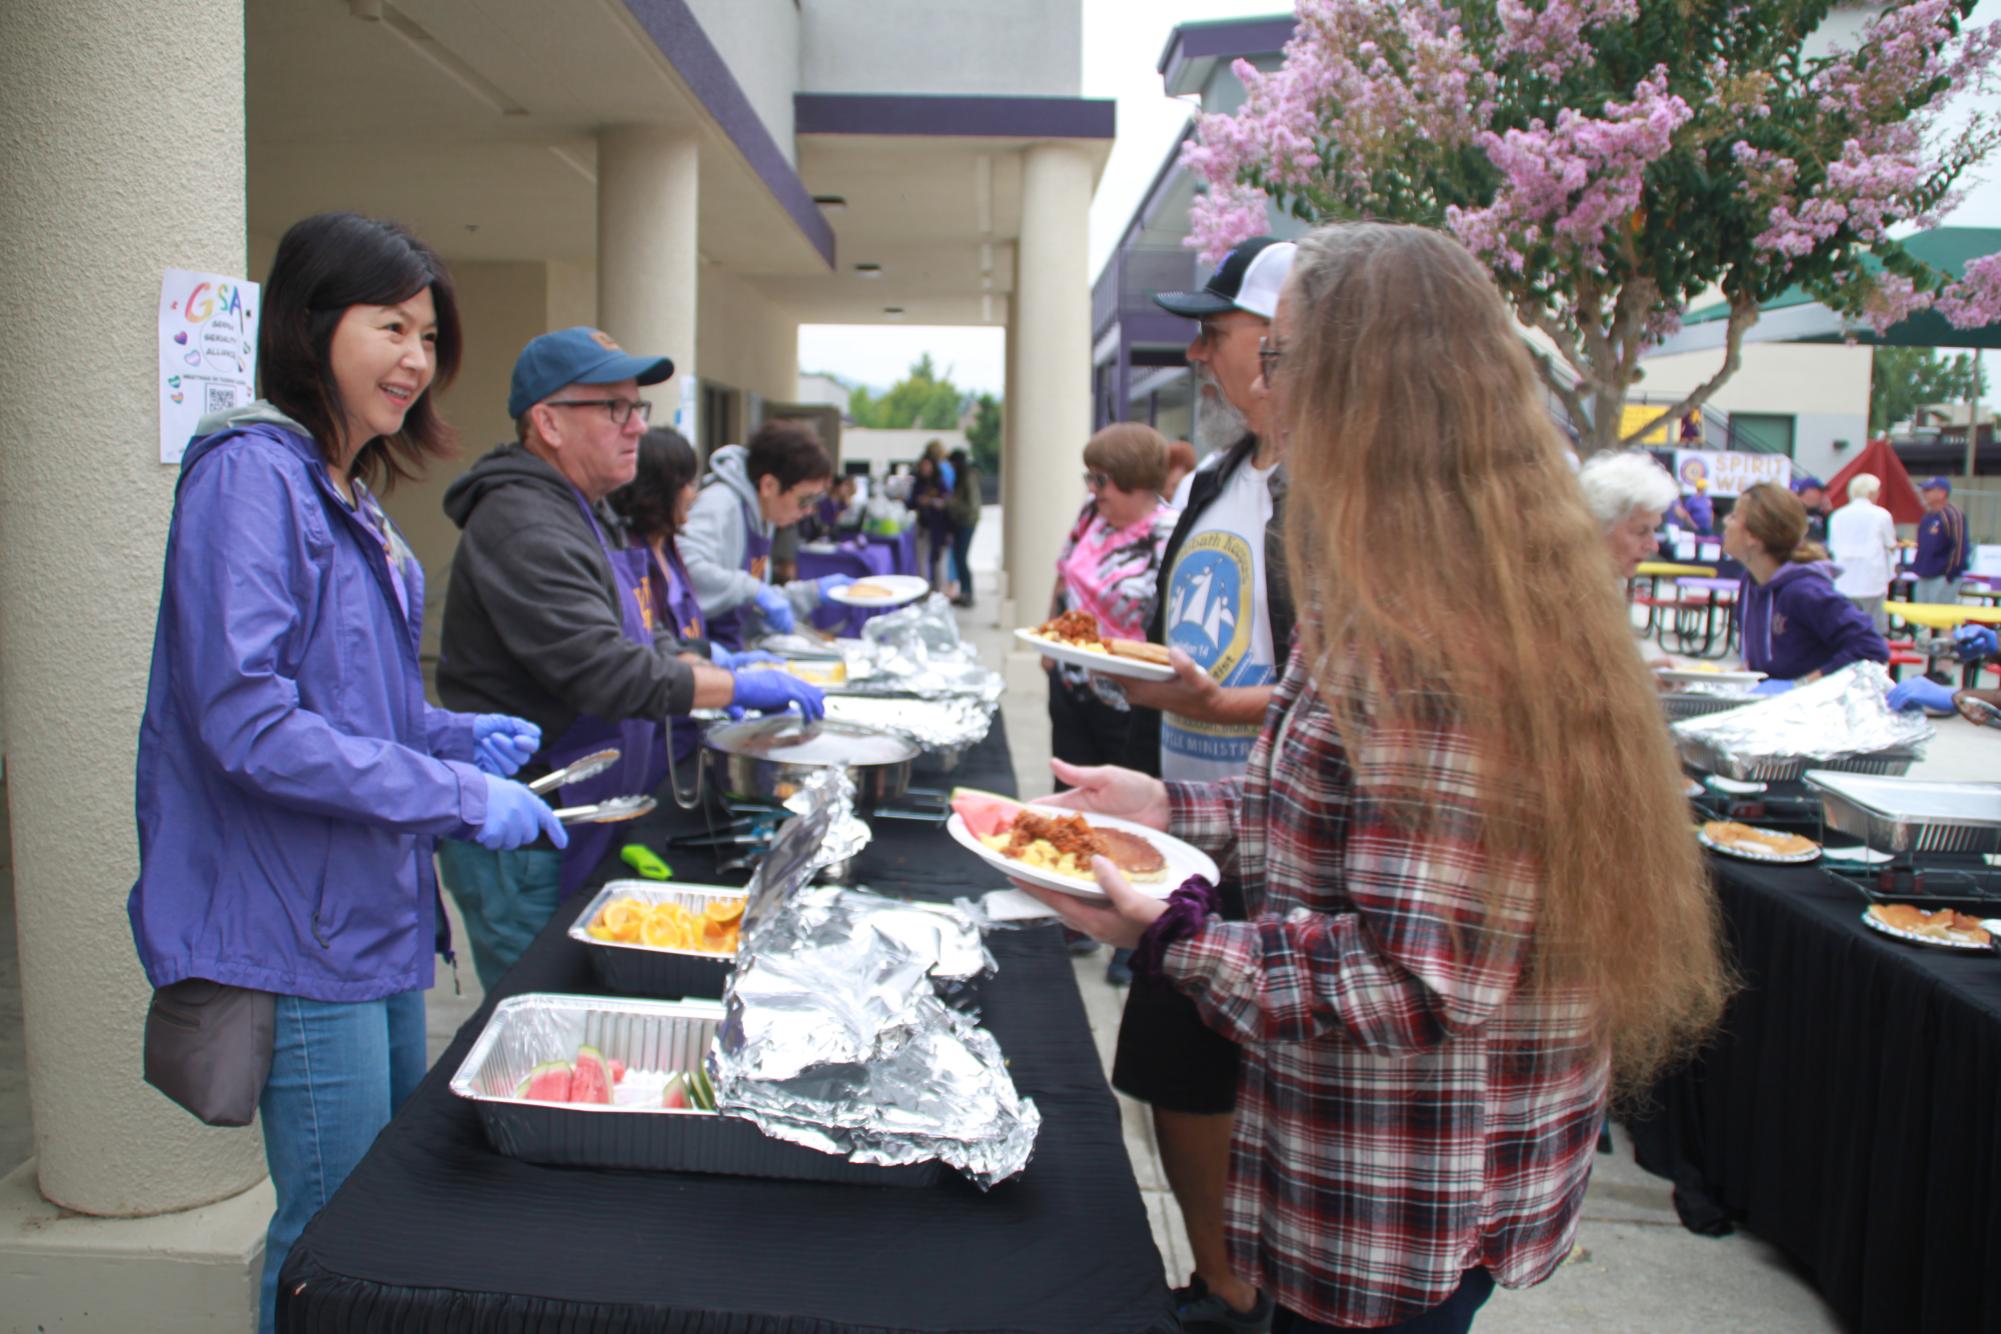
{"x":1850,"y":1113}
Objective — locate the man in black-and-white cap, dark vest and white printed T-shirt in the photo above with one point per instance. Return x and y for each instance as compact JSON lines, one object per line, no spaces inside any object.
{"x":1224,"y":611}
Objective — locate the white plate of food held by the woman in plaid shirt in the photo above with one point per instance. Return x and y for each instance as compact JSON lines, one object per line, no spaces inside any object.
{"x":1048,"y":847}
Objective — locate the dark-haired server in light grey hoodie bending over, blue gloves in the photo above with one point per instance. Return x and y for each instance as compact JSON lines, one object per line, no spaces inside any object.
{"x":751,"y":493}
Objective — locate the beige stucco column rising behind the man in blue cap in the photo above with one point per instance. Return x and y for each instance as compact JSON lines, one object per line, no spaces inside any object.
{"x":649,"y":267}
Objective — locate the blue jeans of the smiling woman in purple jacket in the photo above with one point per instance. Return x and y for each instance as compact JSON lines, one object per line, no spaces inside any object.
{"x":337,"y":1075}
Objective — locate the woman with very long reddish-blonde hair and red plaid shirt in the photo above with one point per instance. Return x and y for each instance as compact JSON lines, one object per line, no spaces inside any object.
{"x":1476,"y":905}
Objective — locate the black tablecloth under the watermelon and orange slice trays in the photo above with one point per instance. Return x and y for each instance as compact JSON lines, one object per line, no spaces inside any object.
{"x":439,"y":1233}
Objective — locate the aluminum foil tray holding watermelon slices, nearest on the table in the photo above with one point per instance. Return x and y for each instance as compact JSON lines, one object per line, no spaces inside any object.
{"x":645,"y":1035}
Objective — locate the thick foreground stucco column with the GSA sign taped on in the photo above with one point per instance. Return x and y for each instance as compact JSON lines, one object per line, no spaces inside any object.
{"x":97,"y":205}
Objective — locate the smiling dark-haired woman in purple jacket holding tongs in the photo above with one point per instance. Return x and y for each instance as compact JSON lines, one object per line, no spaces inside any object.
{"x":291,"y":775}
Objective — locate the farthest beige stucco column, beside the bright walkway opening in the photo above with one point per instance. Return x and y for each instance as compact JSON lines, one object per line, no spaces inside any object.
{"x":1050,"y":371}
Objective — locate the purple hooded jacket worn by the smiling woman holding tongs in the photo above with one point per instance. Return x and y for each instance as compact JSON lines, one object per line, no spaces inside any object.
{"x":291,"y":775}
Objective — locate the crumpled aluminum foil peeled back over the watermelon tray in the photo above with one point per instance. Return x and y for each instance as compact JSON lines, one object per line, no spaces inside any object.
{"x":835,"y":1035}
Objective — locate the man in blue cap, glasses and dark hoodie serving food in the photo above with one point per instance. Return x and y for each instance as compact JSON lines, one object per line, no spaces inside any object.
{"x":549,"y":617}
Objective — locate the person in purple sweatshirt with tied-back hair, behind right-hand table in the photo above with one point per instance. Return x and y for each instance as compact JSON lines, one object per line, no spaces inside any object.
{"x":1796,"y":625}
